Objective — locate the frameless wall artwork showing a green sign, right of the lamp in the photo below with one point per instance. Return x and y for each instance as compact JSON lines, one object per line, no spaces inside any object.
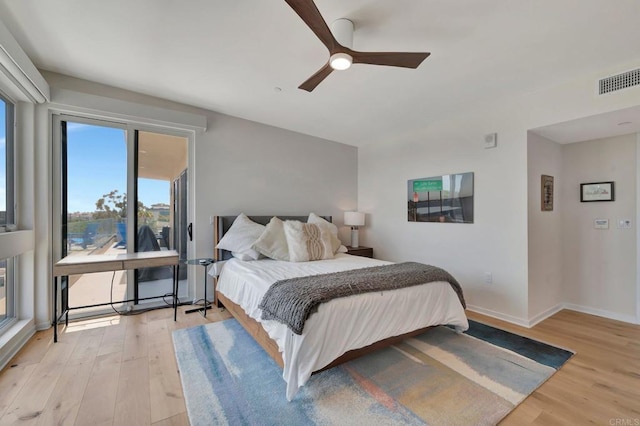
{"x":447,"y":198}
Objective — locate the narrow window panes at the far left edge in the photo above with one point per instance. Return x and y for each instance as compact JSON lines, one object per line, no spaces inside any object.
{"x":7,"y":207}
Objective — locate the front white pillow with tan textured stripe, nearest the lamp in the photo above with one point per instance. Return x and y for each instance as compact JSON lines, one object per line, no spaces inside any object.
{"x":307,"y":241}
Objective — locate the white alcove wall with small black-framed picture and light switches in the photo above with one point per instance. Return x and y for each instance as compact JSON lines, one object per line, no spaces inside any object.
{"x":600,"y":265}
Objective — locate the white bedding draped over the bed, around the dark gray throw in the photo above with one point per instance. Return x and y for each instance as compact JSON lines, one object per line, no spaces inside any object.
{"x":341,"y":324}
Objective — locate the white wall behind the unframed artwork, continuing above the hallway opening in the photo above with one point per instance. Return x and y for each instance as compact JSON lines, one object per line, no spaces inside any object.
{"x":498,"y":240}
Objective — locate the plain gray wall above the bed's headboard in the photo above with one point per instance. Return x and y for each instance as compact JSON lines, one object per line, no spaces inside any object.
{"x":247,"y":167}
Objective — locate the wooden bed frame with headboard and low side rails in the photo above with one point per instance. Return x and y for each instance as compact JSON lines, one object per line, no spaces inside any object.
{"x":253,"y":327}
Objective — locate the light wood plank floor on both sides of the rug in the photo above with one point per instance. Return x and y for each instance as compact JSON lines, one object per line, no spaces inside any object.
{"x":122,"y":371}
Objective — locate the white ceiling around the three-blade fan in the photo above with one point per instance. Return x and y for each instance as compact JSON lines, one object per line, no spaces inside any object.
{"x":231,"y":55}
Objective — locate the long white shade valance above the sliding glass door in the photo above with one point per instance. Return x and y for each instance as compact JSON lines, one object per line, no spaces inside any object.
{"x":98,"y":107}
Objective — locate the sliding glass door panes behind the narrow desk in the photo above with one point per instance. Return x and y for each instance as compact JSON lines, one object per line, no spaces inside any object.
{"x":115,"y":196}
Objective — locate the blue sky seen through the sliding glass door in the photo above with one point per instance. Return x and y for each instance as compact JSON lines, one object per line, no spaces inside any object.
{"x":97,"y":163}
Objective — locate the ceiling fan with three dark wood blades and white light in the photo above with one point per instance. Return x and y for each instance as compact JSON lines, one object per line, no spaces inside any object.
{"x":341,"y":55}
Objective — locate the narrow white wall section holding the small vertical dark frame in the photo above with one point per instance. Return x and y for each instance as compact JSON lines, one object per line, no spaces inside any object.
{"x":544,"y":157}
